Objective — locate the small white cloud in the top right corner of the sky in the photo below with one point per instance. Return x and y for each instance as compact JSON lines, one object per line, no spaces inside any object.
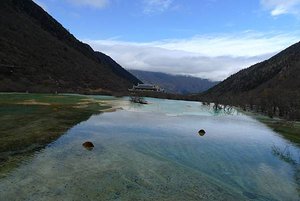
{"x":280,"y":7}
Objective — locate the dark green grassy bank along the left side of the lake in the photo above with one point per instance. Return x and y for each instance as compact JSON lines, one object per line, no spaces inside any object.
{"x":29,"y":122}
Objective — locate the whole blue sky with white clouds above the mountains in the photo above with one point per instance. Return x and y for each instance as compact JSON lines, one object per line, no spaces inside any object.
{"x":204,"y":38}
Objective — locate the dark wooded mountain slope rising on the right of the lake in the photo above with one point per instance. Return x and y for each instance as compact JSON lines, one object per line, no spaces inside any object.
{"x":272,"y":85}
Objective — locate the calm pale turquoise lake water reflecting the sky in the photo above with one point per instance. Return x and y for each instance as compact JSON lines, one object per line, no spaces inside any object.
{"x":154,"y":152}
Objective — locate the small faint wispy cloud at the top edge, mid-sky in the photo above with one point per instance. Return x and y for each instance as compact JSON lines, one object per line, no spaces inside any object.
{"x":156,"y":6}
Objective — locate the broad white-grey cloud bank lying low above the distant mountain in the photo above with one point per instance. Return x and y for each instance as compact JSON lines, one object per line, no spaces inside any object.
{"x":212,"y":57}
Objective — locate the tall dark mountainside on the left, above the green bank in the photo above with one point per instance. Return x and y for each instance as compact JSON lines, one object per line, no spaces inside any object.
{"x":38,"y":54}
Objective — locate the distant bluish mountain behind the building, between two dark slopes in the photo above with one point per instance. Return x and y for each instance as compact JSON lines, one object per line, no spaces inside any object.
{"x":178,"y":84}
